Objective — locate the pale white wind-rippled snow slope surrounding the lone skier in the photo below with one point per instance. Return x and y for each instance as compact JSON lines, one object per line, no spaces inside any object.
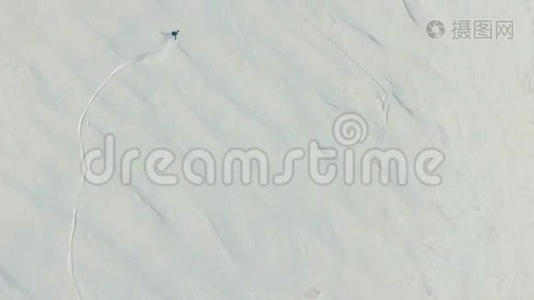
{"x":268,"y":74}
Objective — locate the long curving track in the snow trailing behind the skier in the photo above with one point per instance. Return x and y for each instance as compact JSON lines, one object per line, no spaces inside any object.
{"x":141,"y":58}
